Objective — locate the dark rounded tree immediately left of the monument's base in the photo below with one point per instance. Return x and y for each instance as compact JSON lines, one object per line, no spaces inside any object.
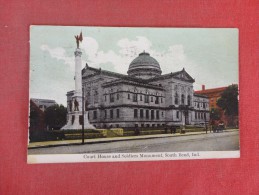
{"x":55,"y":116}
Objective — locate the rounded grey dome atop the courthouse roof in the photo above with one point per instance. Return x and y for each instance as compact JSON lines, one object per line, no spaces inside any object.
{"x":144,"y":66}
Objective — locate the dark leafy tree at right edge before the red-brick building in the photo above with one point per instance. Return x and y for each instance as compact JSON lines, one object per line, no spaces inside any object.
{"x":229,"y":101}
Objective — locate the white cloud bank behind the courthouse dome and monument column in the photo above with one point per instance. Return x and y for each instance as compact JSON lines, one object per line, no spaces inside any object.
{"x":170,"y":59}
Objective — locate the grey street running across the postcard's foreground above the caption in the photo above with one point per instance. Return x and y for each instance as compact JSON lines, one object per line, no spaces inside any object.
{"x":225,"y":141}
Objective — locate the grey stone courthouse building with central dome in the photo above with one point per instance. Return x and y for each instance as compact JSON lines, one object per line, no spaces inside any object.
{"x":144,"y":97}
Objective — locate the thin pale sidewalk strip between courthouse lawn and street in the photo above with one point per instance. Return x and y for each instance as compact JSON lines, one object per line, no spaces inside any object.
{"x":112,"y":139}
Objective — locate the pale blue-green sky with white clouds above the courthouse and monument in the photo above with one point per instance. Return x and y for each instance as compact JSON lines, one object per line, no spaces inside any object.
{"x":209,"y":55}
